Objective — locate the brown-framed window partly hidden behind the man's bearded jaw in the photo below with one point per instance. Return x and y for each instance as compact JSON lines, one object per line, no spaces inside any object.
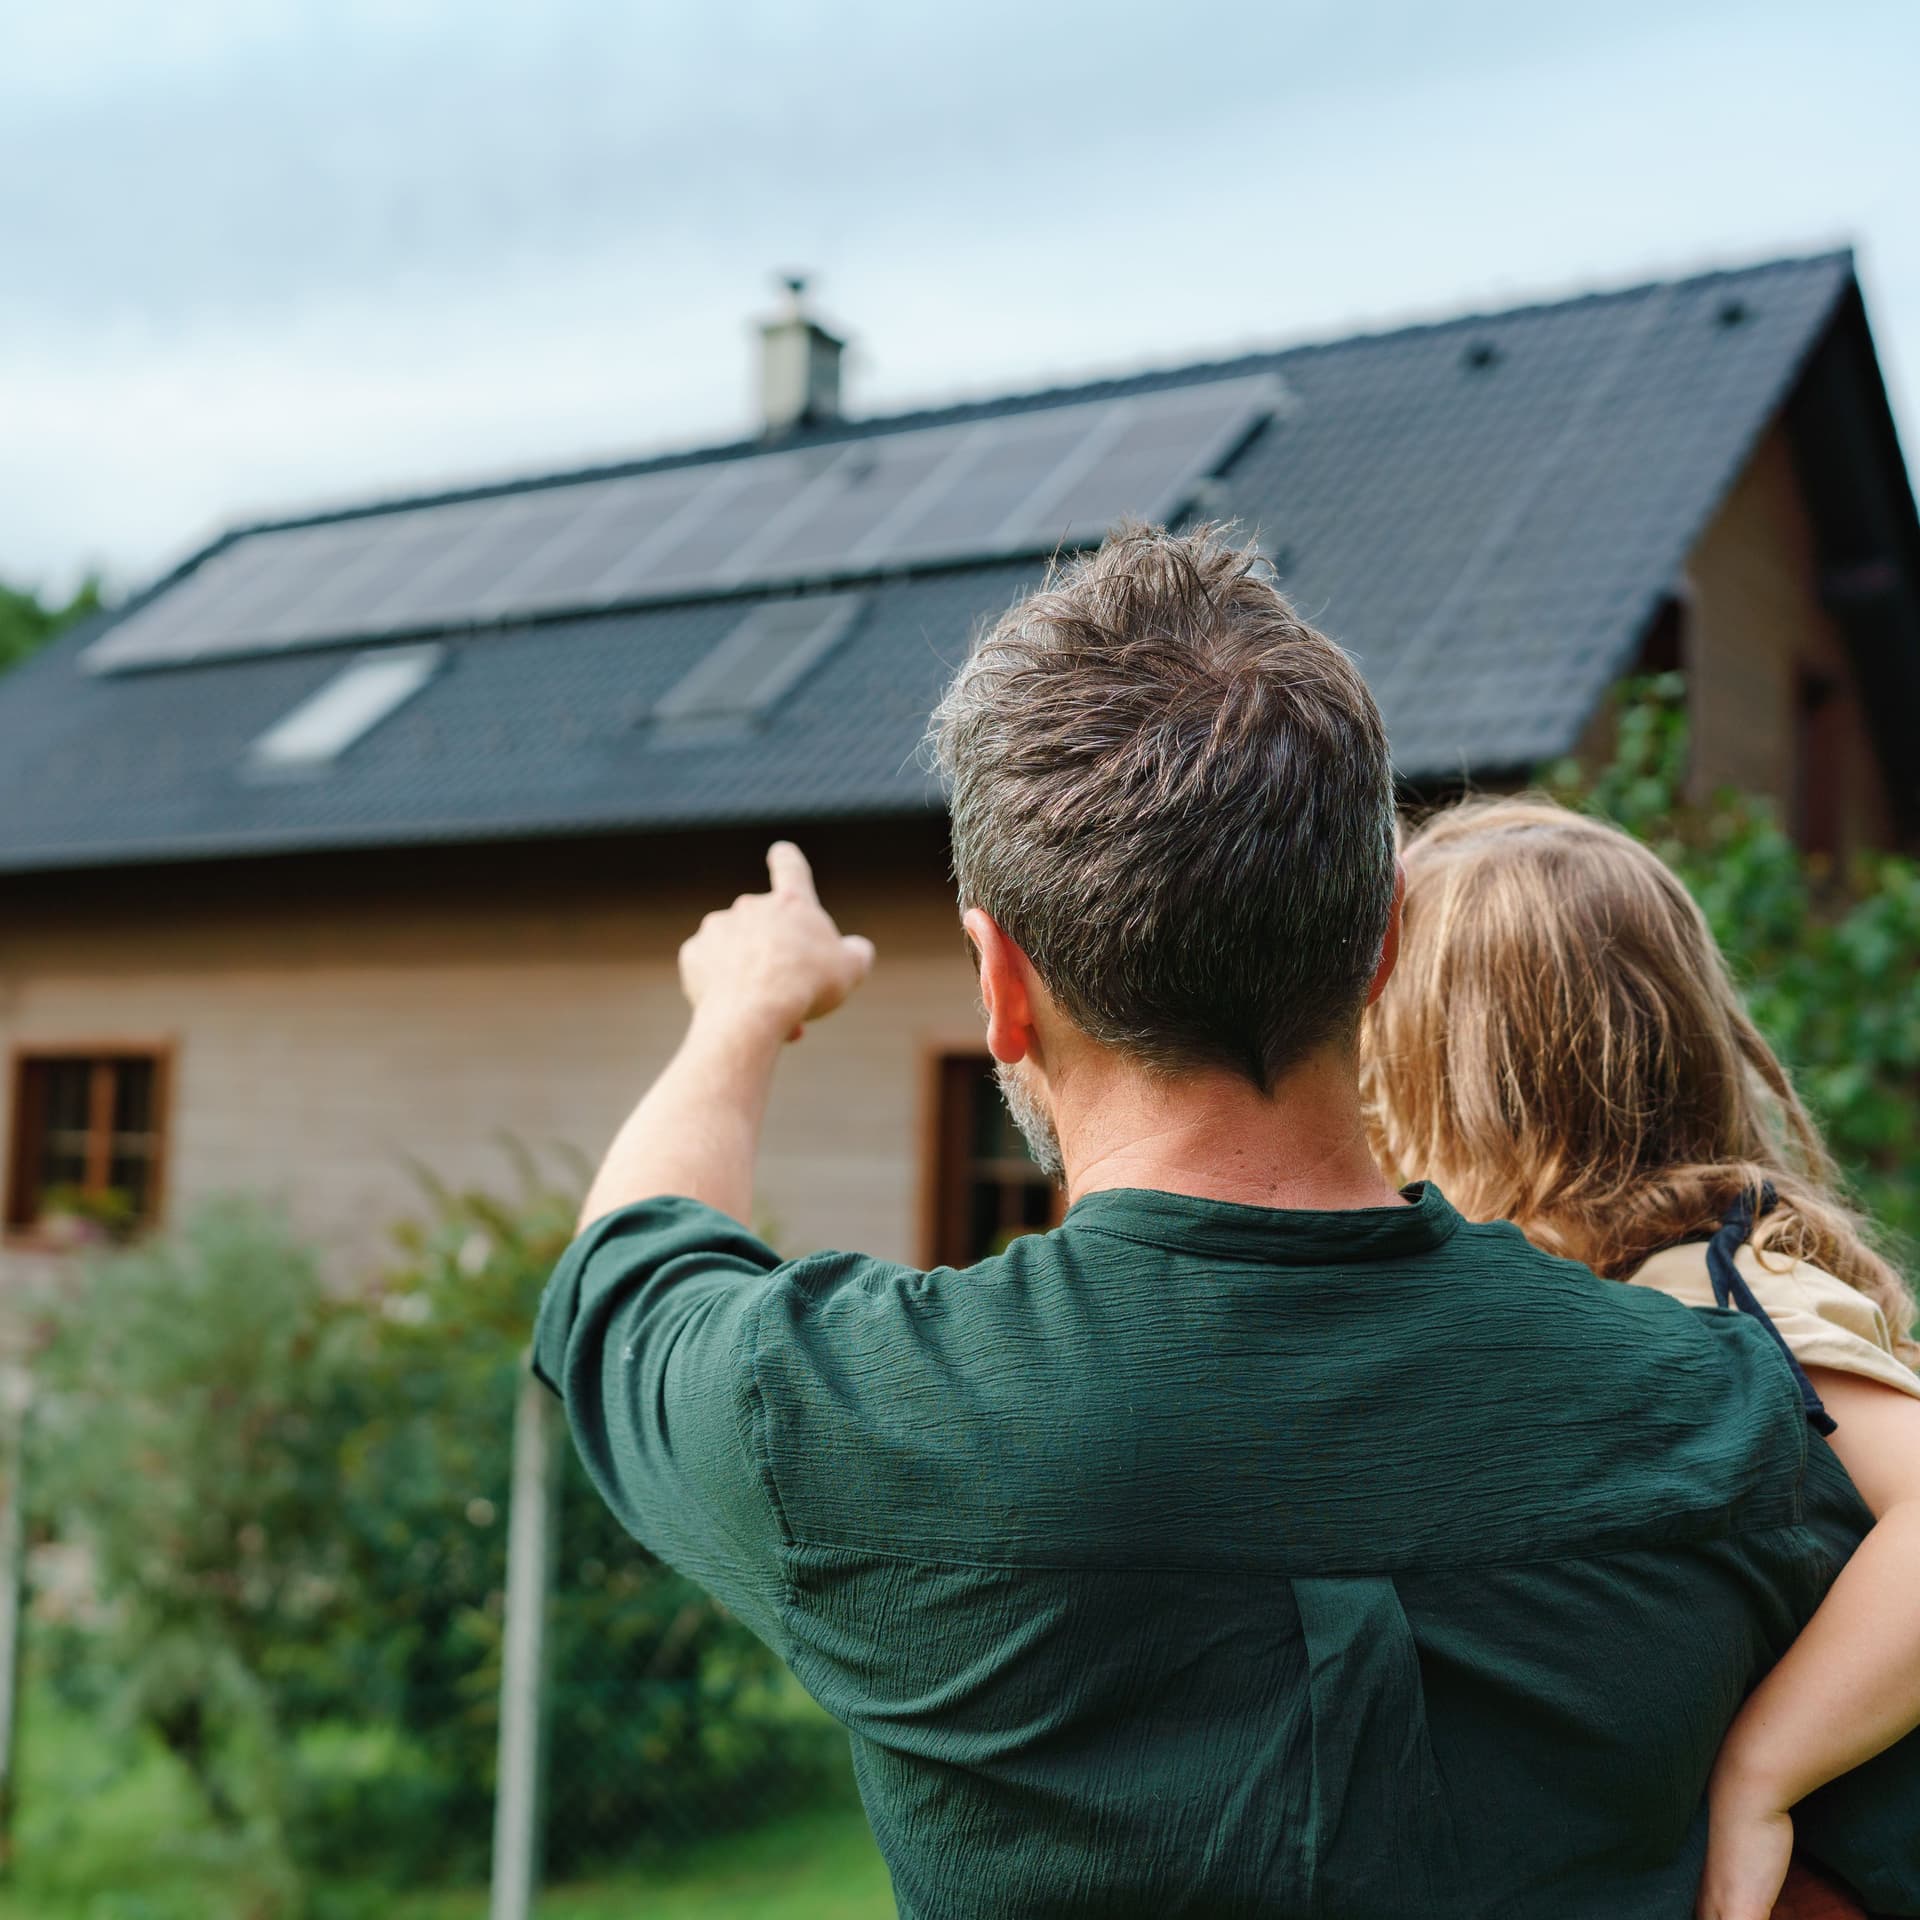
{"x":986,"y":1186}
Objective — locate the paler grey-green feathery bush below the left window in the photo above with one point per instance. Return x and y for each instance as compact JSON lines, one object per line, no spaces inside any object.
{"x":191,"y":1399}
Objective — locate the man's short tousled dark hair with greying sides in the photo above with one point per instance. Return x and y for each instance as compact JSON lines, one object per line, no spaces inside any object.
{"x":1178,"y":800}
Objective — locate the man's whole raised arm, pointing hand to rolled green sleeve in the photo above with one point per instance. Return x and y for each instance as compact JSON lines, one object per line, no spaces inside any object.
{"x":648,"y":1326}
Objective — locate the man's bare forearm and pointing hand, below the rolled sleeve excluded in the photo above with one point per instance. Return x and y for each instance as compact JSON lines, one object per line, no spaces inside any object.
{"x":756,"y":974}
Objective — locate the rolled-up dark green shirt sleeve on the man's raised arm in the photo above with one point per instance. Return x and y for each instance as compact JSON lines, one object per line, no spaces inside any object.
{"x":648,"y":1332}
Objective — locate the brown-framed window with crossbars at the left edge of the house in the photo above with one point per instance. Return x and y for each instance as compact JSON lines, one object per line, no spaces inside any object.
{"x":87,"y":1140}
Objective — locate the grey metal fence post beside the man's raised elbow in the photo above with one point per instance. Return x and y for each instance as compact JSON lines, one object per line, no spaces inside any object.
{"x":519,"y":1790}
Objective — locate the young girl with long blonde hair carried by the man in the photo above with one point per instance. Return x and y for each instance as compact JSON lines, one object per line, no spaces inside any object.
{"x":1562,"y":1047}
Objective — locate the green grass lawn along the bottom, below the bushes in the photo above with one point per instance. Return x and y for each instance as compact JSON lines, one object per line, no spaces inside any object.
{"x":107,"y":1838}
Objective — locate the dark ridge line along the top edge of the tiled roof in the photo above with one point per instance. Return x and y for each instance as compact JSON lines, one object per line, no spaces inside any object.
{"x":1007,"y":402}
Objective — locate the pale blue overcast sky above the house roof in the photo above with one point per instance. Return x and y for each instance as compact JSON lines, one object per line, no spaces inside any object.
{"x":277,"y":252}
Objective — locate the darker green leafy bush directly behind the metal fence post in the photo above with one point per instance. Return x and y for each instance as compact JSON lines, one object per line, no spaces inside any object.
{"x":667,"y":1719}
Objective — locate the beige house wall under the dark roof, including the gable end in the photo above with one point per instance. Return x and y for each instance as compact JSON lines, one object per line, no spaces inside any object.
{"x":337,"y":1022}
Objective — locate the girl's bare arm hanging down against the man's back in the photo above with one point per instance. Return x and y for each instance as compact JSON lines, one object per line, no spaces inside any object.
{"x":1850,"y":1685}
